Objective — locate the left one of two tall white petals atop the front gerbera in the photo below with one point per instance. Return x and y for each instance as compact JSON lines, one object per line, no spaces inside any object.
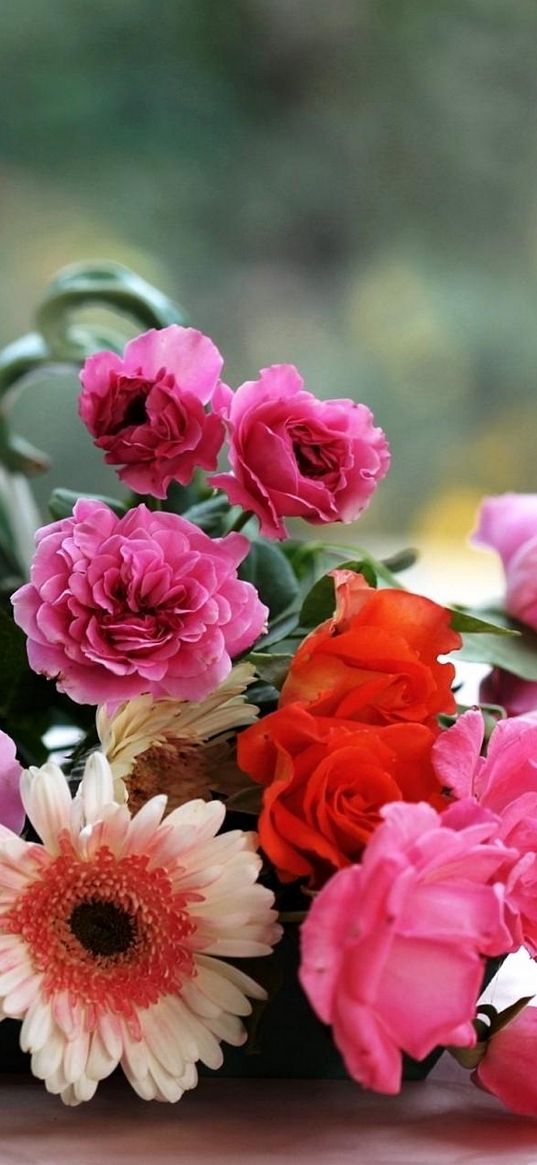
{"x":47,"y":802}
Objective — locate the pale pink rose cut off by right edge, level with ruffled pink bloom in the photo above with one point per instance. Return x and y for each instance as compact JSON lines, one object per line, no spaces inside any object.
{"x":508,"y":524}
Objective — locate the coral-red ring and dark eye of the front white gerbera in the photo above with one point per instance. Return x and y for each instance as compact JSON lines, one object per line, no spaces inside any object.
{"x":112,"y":933}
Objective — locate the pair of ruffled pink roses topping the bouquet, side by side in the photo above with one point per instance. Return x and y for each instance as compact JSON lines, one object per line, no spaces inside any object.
{"x":292,"y":455}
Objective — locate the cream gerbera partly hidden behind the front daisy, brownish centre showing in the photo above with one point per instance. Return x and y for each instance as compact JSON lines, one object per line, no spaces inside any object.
{"x":181,"y":746}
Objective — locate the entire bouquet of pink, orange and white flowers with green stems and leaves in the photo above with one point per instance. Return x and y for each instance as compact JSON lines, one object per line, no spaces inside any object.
{"x":278,"y":830}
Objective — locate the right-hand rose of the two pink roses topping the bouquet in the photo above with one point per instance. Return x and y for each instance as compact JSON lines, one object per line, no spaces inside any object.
{"x":294,"y":456}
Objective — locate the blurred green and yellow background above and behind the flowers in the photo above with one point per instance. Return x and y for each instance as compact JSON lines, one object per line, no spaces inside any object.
{"x":348,"y":186}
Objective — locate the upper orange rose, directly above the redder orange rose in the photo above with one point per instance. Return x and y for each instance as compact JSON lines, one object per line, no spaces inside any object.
{"x":377,"y":660}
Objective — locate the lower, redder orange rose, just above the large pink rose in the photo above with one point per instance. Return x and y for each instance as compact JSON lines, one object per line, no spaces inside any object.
{"x":326,"y":783}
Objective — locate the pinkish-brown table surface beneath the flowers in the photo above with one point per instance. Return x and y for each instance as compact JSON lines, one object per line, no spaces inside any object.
{"x":443,"y":1120}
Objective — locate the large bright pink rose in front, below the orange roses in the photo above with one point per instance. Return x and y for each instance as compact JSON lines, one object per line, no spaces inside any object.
{"x":393,"y":950}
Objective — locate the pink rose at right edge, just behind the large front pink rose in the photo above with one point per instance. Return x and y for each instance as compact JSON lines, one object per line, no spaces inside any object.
{"x":505,"y":783}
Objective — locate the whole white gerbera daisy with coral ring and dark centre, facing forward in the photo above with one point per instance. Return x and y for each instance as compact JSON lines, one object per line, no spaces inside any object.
{"x":111,"y":934}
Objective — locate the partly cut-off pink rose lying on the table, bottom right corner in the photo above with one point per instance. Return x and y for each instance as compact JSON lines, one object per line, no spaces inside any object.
{"x":507,"y":1069}
